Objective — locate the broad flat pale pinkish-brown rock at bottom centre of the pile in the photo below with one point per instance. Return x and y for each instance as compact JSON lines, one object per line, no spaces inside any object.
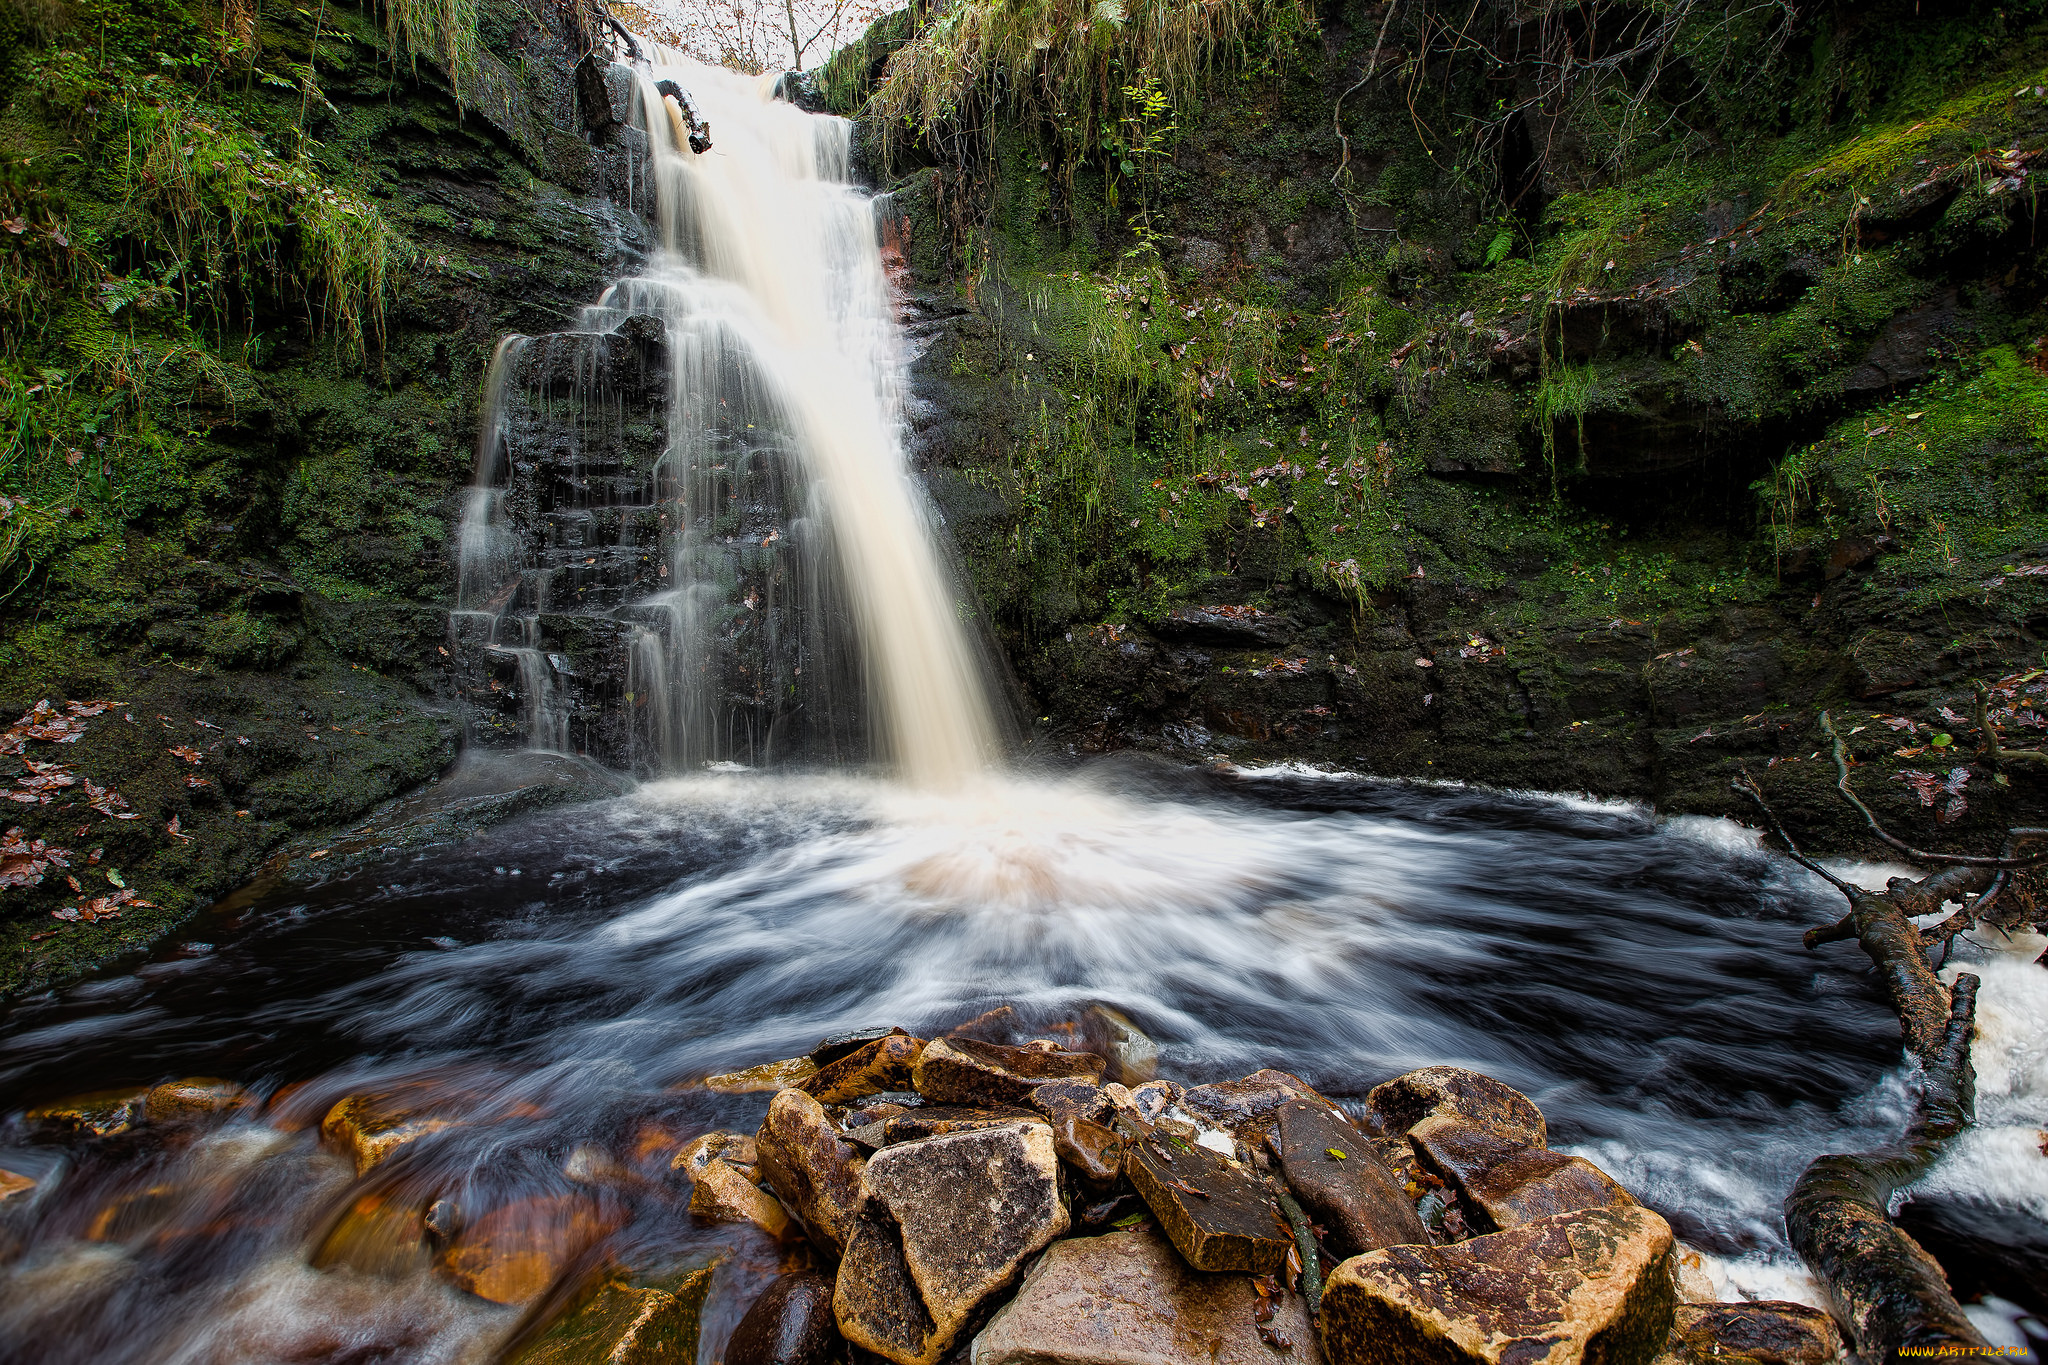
{"x":1127,"y":1298}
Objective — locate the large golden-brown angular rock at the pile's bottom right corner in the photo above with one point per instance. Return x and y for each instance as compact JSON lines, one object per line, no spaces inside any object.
{"x":1578,"y":1288}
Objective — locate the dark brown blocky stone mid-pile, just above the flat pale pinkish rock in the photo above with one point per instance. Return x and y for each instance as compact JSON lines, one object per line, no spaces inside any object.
{"x":1220,"y":1217}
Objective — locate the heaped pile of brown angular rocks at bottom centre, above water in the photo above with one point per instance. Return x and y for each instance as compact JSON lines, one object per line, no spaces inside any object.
{"x":1009,"y":1204}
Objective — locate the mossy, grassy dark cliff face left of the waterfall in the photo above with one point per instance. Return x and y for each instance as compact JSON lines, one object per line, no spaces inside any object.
{"x":253,"y":277}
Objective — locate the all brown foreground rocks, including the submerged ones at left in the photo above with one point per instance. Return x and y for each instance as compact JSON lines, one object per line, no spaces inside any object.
{"x":1000,"y":1200}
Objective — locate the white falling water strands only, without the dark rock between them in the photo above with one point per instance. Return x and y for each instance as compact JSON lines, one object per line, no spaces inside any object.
{"x":769,"y":283}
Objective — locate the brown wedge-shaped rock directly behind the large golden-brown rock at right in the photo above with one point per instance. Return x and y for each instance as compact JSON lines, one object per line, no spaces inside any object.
{"x":1506,"y":1182}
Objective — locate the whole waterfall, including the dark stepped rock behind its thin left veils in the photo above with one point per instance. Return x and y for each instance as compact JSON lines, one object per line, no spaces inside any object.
{"x":769,"y":580}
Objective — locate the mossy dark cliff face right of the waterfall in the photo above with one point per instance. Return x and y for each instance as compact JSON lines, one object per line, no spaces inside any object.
{"x":1539,"y":461}
